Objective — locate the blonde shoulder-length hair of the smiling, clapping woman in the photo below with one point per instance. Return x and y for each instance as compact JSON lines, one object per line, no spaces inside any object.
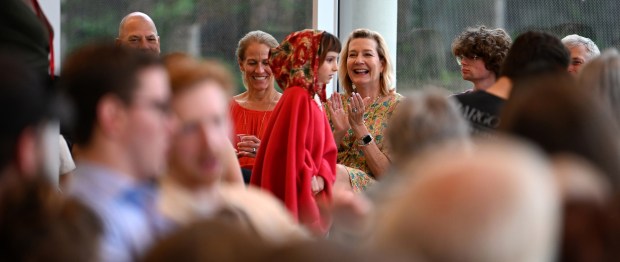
{"x":387,"y":76}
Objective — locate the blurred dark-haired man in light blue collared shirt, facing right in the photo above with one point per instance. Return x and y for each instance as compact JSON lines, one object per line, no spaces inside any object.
{"x":121,"y":136}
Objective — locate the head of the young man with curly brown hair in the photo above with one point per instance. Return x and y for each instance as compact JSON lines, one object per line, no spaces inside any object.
{"x":480,"y":52}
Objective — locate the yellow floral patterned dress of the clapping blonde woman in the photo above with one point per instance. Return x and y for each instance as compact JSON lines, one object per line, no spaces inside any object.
{"x":350,"y":153}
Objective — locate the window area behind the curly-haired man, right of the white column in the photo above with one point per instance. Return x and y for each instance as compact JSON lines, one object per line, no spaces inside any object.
{"x":426,"y":29}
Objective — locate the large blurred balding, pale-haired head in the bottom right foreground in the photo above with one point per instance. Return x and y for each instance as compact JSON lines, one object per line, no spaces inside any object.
{"x":498,"y":204}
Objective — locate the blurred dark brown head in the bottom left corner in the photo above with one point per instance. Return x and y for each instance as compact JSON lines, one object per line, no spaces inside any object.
{"x":37,"y":223}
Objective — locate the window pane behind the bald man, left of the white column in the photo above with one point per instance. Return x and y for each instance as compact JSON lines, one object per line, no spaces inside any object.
{"x":207,"y":28}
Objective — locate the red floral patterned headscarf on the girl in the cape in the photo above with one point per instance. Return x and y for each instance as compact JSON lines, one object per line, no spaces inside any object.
{"x":295,"y":62}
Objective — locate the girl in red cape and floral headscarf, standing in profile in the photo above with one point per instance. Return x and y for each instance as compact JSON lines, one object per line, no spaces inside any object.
{"x":297,"y":159}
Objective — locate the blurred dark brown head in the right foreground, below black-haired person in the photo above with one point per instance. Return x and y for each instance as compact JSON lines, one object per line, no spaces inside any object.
{"x":550,"y":111}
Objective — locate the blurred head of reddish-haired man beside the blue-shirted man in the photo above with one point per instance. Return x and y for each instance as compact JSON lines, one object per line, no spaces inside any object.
{"x":200,"y":94}
